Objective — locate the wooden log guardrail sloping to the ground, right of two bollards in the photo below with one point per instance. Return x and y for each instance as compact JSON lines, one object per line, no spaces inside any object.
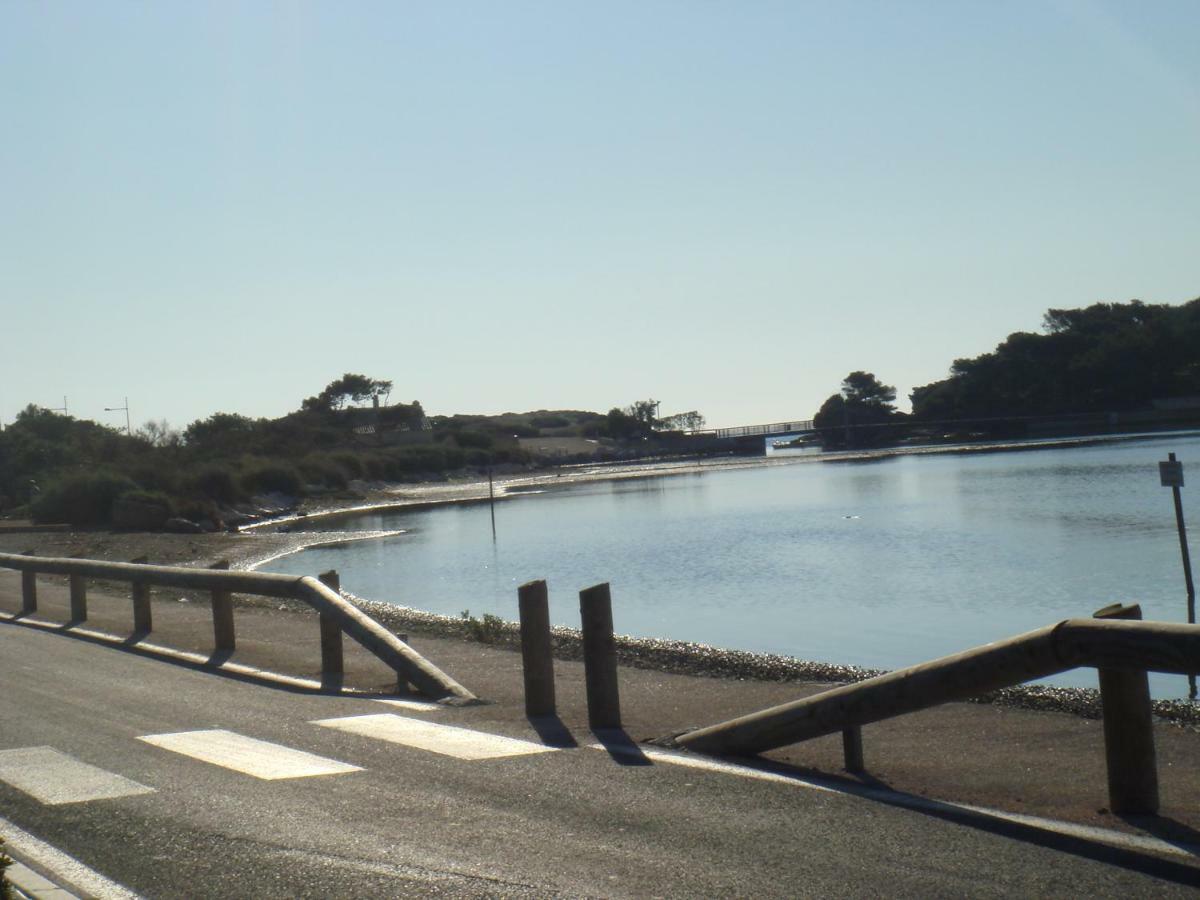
{"x":1123,"y":651}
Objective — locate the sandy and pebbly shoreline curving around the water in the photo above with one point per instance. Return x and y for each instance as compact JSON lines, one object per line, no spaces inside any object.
{"x":259,"y":545}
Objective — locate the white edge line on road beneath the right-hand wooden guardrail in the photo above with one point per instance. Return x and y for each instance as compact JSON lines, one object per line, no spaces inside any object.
{"x":923,"y":805}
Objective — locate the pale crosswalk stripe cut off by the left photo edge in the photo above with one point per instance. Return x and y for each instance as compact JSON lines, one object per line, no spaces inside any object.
{"x":53,"y":778}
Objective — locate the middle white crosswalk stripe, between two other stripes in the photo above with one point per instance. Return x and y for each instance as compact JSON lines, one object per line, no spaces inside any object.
{"x":250,"y":757}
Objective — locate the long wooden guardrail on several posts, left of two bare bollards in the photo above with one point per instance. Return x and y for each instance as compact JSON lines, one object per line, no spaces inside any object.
{"x":338,"y":616}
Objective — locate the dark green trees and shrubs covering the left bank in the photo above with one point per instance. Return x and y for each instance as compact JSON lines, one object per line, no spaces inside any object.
{"x":58,"y":469}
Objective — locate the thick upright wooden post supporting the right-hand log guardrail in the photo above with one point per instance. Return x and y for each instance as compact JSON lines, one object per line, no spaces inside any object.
{"x":1129,"y":730}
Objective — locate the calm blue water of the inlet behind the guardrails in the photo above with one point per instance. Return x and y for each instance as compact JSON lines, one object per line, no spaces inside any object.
{"x":879,"y":565}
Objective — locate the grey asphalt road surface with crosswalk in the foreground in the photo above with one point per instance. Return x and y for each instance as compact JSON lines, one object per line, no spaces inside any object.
{"x":410,"y":821}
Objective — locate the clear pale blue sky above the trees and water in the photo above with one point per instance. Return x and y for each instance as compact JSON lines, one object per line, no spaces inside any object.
{"x":518,"y":206}
